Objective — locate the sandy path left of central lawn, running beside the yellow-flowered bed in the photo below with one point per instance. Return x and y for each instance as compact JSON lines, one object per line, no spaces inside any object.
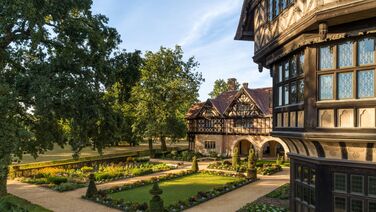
{"x":71,"y":201}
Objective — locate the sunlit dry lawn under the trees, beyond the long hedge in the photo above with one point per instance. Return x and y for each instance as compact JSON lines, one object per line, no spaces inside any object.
{"x":59,"y":153}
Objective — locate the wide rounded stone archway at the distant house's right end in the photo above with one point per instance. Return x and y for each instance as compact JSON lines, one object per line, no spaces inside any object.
{"x":272,"y":148}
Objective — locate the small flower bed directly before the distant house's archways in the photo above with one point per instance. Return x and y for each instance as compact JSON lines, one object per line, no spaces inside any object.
{"x":263,"y":167}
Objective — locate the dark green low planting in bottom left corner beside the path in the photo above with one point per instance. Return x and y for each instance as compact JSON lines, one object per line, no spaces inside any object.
{"x":13,"y":203}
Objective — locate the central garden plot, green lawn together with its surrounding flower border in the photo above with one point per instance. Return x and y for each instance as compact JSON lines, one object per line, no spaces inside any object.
{"x":180,"y":191}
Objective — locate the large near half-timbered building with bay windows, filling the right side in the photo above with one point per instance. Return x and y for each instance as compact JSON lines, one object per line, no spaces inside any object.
{"x":321,"y":55}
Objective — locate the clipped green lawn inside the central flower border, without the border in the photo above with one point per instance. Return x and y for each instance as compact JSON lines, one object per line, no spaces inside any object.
{"x":175,"y":190}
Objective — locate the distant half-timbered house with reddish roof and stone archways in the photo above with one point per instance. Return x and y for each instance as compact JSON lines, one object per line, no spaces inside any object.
{"x":237,"y":118}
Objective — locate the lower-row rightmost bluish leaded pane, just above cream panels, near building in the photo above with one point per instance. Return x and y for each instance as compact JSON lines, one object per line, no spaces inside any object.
{"x":366,"y":84}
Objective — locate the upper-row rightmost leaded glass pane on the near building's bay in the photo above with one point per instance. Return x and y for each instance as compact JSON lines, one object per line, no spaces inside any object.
{"x":366,"y":51}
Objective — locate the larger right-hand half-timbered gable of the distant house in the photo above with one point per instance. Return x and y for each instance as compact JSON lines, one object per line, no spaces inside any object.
{"x":243,"y":106}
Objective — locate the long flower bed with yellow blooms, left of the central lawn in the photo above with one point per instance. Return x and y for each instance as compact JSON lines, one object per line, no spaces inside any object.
{"x":70,"y":179}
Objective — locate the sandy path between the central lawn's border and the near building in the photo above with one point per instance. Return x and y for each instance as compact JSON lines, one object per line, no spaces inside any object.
{"x":234,"y":200}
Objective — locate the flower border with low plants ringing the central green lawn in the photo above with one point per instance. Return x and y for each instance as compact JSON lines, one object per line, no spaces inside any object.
{"x":104,"y":196}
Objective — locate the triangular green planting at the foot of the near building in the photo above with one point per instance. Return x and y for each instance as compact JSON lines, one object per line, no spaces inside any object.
{"x":277,"y":200}
